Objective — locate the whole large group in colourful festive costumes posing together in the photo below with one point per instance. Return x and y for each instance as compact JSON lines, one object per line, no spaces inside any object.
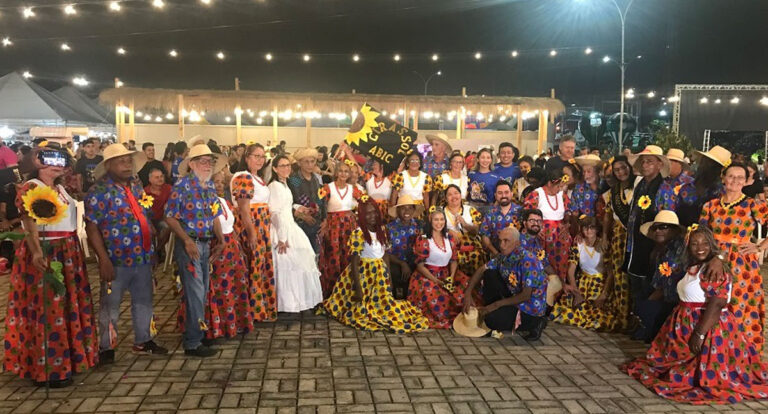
{"x":661,"y":246}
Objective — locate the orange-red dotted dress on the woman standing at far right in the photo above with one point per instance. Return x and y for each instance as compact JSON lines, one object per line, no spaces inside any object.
{"x":732,"y":225}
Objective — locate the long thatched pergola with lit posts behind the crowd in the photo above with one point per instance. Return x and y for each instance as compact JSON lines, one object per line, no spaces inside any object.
{"x":182,"y":102}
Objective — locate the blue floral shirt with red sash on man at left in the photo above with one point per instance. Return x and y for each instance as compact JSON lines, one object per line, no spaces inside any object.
{"x":122,"y":221}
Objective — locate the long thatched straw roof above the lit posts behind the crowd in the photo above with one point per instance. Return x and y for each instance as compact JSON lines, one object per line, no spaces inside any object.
{"x":226,"y":101}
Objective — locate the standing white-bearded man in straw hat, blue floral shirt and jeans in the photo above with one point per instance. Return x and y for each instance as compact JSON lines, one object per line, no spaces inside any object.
{"x":191,"y":213}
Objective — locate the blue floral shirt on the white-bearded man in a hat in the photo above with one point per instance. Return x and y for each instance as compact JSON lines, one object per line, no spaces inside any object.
{"x":195,"y":205}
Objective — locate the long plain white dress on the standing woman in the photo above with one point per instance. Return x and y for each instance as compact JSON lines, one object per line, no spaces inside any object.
{"x":296,"y":273}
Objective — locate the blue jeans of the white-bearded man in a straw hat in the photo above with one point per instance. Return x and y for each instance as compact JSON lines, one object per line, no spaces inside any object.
{"x":195,"y":279}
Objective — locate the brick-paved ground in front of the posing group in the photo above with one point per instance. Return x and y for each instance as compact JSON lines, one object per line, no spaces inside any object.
{"x":312,"y":364}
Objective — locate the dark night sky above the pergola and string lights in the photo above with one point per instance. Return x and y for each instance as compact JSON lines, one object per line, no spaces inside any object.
{"x":681,"y":41}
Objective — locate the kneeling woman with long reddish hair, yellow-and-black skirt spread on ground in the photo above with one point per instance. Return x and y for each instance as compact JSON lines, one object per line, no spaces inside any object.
{"x":362,"y":297}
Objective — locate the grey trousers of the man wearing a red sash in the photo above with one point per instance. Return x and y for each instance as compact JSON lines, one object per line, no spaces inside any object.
{"x":138,"y":281}
